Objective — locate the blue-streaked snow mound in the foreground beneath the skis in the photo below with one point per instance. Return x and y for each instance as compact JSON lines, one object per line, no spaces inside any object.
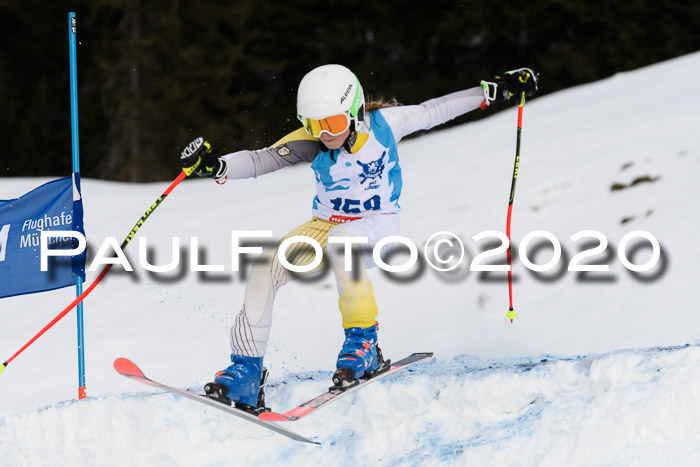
{"x":629,"y":407}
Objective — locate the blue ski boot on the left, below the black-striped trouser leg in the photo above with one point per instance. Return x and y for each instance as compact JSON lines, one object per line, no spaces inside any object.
{"x":240,"y":383}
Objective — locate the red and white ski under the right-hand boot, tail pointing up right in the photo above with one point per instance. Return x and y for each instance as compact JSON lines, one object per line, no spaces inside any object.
{"x":334,"y":393}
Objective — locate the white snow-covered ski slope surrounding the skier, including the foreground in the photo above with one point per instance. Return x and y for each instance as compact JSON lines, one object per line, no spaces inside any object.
{"x":487,"y":399}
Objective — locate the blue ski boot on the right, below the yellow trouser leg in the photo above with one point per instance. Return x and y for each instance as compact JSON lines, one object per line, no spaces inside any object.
{"x":360,"y":356}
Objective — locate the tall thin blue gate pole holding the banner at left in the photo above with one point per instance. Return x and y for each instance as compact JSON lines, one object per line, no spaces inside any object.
{"x":72,"y":30}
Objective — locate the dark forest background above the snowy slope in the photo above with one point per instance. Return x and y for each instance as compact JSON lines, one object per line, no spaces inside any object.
{"x":152,"y":74}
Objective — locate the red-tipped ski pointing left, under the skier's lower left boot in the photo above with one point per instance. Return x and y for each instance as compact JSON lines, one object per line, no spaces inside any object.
{"x":127,"y":368}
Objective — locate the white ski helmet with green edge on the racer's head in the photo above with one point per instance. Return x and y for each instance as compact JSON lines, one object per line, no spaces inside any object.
{"x":327,"y":91}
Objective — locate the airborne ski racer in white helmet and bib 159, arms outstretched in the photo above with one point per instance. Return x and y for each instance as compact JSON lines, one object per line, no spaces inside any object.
{"x":352,"y":148}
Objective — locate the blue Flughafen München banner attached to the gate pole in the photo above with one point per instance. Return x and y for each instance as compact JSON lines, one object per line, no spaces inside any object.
{"x":56,"y":205}
